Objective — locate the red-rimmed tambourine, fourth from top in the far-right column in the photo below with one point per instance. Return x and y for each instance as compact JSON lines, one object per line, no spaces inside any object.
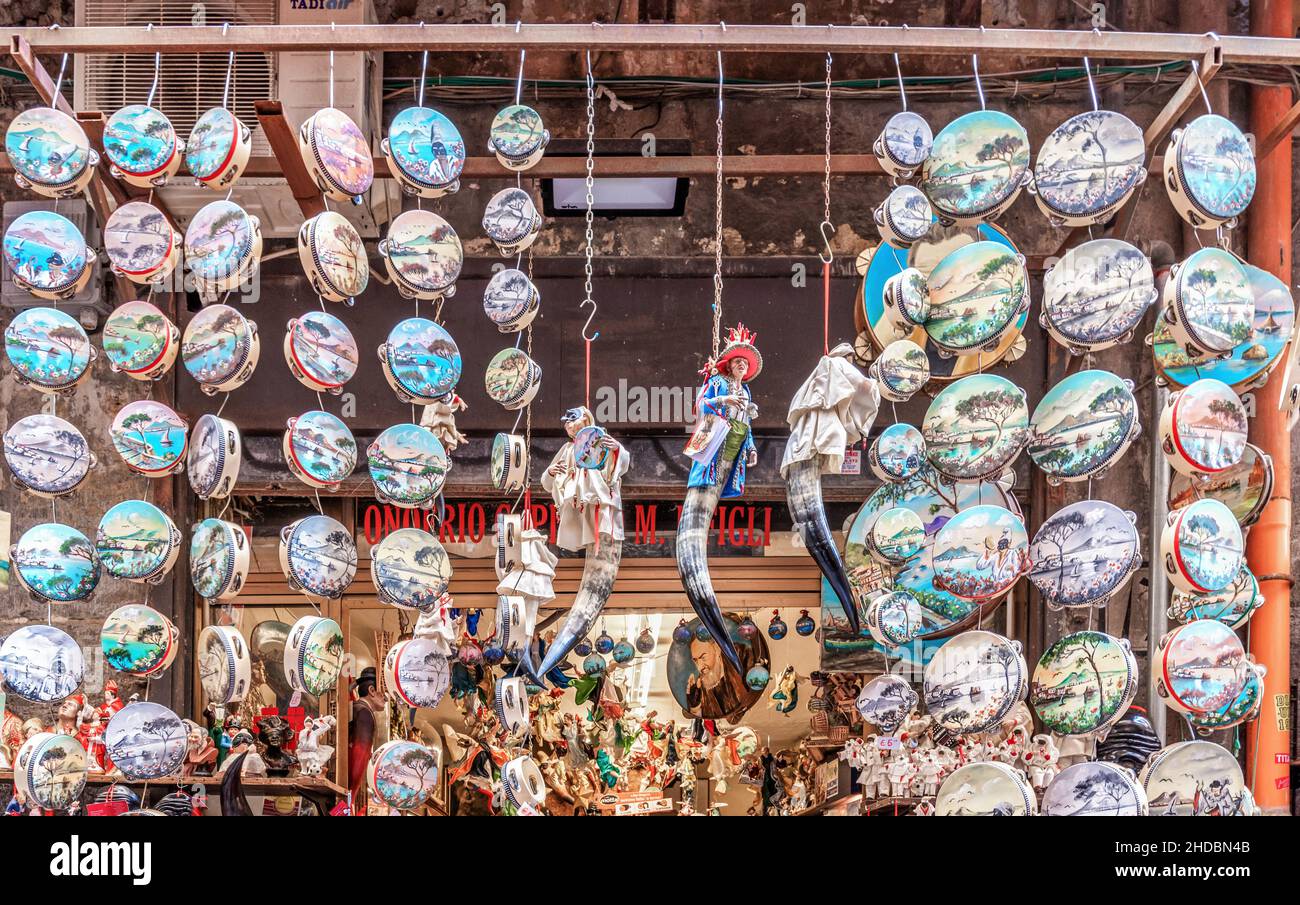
{"x":1202,"y":547}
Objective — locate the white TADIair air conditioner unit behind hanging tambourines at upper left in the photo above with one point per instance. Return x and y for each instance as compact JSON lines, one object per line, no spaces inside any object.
{"x":192,"y":84}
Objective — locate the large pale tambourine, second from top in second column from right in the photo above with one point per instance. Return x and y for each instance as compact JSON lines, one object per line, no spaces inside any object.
{"x":1097,"y":296}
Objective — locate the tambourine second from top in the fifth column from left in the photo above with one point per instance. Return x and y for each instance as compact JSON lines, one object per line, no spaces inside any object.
{"x":423,"y":254}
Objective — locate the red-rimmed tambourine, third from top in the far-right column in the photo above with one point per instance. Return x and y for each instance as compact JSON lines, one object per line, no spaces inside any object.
{"x":1203,"y":428}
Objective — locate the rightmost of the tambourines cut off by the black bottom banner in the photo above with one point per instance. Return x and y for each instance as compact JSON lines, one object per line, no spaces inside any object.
{"x":1195,"y":780}
